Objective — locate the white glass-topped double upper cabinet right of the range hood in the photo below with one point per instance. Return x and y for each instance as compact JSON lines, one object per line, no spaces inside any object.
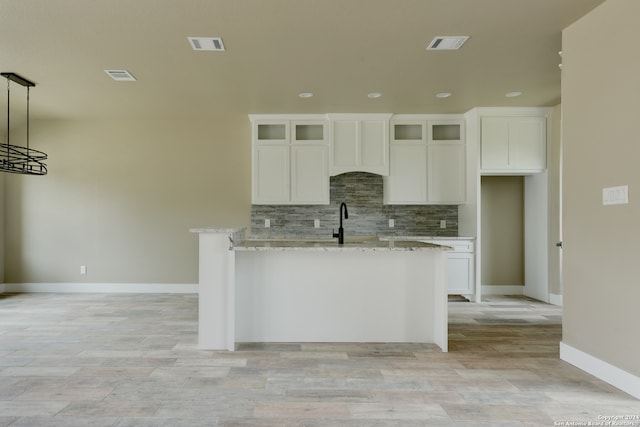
{"x":427,"y":162}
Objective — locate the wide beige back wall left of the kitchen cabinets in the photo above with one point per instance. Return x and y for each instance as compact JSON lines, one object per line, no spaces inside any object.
{"x":121,"y":196}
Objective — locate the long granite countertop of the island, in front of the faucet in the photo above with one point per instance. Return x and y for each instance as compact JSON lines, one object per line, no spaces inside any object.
{"x":332,"y":245}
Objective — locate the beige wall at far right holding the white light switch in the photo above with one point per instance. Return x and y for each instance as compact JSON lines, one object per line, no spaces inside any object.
{"x":600,"y":110}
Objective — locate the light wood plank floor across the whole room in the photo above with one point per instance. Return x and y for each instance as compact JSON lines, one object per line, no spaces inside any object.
{"x":131,"y":360}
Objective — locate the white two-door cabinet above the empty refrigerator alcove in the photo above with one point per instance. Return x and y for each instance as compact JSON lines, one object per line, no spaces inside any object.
{"x":513,"y":145}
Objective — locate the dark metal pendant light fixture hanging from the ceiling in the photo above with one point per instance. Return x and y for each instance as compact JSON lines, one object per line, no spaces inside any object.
{"x":14,"y":158}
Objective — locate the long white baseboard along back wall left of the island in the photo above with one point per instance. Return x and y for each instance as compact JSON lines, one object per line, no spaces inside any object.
{"x":141,"y":288}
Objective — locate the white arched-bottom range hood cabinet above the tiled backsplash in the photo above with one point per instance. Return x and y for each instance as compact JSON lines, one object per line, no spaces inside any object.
{"x":359,"y":143}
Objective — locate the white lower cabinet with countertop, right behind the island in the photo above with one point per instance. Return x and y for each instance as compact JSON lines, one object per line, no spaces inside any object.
{"x":461,"y":267}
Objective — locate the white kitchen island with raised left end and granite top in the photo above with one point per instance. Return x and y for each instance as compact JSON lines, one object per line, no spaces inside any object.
{"x":319,"y":291}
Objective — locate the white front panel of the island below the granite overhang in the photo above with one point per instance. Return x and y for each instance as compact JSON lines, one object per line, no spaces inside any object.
{"x":341,"y":296}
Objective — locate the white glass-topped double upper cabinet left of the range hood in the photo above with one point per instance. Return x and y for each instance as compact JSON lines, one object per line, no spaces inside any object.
{"x":290,"y":160}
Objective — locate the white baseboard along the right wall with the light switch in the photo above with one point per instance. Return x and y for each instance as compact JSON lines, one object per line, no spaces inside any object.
{"x":617,"y":377}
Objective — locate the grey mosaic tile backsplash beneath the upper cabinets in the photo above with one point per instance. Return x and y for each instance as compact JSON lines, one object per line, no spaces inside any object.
{"x":362,"y":192}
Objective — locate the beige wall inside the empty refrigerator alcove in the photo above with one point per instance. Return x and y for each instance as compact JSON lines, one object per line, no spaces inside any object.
{"x":502,"y":230}
